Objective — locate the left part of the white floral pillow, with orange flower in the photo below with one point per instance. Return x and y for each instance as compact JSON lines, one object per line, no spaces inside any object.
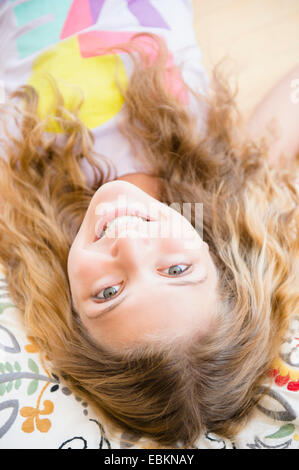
{"x":36,"y":410}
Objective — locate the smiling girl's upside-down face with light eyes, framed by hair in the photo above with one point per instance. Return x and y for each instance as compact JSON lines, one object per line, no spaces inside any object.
{"x":138,"y":269}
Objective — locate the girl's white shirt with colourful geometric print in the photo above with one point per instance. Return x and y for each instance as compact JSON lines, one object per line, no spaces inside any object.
{"x":65,"y":38}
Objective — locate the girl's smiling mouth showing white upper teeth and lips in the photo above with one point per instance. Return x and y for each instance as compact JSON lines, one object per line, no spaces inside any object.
{"x":117,"y":219}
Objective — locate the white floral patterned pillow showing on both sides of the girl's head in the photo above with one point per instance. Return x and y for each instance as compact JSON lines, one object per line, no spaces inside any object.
{"x":39,"y":412}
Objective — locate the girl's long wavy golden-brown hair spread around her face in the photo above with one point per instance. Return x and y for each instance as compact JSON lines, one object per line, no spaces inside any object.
{"x":250,"y":221}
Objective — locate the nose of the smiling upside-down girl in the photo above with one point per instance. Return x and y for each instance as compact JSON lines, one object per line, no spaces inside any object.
{"x":132,"y":250}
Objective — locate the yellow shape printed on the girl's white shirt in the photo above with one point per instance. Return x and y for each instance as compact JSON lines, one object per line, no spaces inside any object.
{"x":92,"y":79}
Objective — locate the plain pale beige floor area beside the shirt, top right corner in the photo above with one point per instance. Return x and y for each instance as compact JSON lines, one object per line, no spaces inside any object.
{"x":260,"y":36}
